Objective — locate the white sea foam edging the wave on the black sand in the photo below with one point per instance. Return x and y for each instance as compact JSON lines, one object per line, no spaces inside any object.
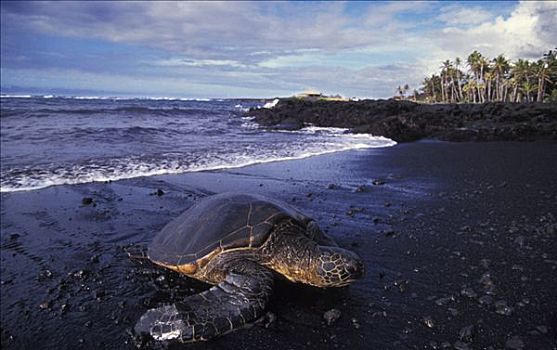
{"x":335,"y":140}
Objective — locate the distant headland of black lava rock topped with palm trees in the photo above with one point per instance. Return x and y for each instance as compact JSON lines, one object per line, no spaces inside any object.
{"x":494,"y":100}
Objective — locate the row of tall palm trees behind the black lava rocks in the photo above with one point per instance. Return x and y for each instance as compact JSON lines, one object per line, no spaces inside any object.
{"x":480,"y":79}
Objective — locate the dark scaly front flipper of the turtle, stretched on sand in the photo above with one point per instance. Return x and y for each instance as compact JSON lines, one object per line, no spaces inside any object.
{"x":238,"y":300}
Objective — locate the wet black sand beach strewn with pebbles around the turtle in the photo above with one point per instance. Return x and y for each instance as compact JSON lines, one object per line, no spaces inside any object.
{"x":459,"y":242}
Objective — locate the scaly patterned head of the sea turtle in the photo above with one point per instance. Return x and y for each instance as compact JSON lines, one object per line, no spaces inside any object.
{"x":336,"y":267}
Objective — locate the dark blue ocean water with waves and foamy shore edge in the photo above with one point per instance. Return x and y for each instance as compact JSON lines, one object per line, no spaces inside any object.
{"x":48,"y":140}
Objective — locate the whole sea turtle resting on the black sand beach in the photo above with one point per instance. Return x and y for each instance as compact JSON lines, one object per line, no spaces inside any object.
{"x":239,"y":243}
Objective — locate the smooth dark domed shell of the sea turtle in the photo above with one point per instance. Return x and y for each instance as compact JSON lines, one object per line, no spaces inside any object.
{"x":220,"y":222}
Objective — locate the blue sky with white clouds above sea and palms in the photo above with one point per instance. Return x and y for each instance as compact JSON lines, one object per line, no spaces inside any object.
{"x":255,"y":49}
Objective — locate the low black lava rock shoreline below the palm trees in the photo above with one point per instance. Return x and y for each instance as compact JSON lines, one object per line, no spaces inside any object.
{"x":406,"y":121}
